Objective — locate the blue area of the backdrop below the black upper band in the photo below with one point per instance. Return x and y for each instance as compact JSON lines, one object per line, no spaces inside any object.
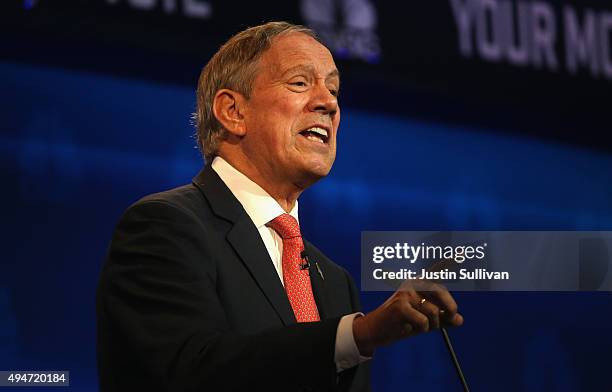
{"x":77,"y":148}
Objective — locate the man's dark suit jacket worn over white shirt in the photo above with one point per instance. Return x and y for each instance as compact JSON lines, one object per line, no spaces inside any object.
{"x":189,"y":300}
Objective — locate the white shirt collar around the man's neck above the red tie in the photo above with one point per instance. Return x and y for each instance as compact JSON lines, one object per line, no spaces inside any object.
{"x":258,"y":204}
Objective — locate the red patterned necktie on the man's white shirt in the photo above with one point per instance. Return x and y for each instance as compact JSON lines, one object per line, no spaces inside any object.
{"x":297,"y":280}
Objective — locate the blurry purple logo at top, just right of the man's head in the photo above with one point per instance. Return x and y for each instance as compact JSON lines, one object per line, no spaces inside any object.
{"x":347,"y":27}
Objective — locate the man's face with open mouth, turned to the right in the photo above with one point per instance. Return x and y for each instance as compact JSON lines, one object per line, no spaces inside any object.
{"x":292,"y":116}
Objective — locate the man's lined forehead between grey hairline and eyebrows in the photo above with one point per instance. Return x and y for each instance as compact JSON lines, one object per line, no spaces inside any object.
{"x":292,"y":50}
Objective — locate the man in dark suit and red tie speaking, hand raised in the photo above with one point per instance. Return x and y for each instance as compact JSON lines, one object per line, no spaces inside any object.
{"x":210,"y":286}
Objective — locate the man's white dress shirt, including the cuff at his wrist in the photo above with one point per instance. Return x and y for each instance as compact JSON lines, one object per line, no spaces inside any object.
{"x":262,"y":208}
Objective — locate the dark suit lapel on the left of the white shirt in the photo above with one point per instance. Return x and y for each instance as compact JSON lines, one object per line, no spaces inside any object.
{"x":246,"y":241}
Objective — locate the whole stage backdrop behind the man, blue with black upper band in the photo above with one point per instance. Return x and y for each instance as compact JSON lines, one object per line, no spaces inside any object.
{"x":94,"y":120}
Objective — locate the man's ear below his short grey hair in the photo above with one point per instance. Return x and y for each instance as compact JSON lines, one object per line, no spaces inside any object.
{"x":228,"y":107}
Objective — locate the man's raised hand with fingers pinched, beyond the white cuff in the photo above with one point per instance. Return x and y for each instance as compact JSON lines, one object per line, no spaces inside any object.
{"x":416,"y":307}
